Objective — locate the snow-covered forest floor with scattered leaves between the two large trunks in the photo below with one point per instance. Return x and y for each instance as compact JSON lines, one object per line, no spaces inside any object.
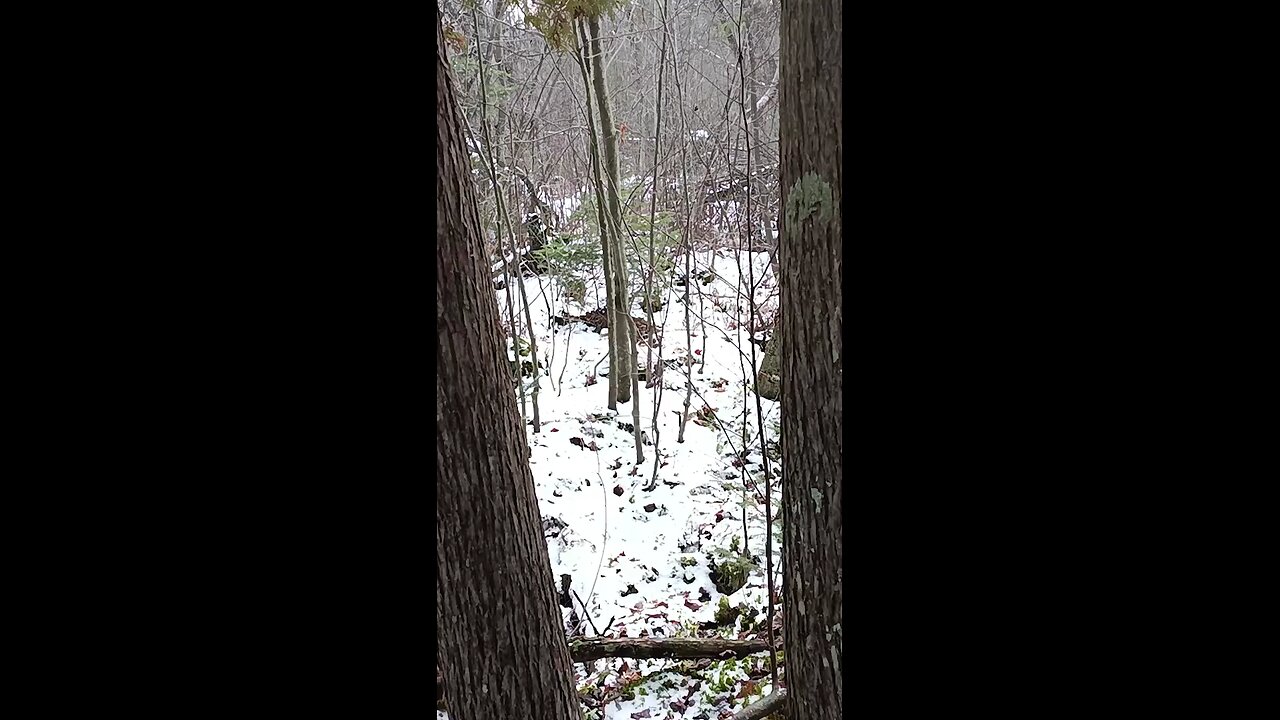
{"x":661,"y":555}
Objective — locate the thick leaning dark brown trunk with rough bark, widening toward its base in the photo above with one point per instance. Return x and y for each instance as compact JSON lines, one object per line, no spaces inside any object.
{"x":501,"y":646}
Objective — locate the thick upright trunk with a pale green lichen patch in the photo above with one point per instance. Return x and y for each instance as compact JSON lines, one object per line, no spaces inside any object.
{"x":811,"y":375}
